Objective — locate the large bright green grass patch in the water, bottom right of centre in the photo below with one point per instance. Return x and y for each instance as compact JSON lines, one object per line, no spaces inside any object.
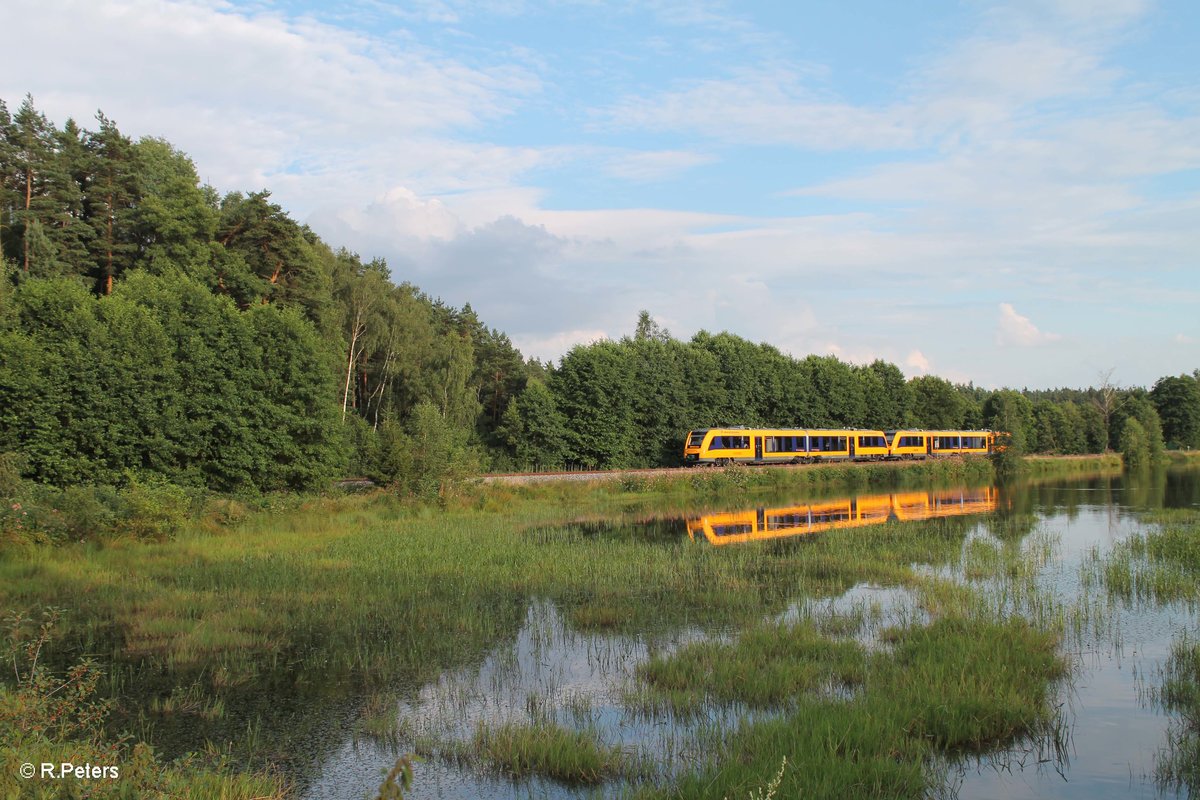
{"x":956,"y":685}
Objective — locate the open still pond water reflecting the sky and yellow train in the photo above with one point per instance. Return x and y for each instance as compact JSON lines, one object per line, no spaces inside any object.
{"x":550,"y":672}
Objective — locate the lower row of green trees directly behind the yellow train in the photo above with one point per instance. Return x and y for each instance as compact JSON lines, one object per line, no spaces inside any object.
{"x":629,"y":404}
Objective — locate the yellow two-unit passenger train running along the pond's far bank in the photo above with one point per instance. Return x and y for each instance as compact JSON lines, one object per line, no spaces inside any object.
{"x":723,"y":447}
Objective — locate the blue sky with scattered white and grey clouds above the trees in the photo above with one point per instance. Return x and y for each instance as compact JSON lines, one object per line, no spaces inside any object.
{"x":1006,"y":194}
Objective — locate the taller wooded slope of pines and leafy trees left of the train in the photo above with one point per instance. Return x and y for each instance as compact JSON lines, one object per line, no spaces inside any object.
{"x":151,"y":326}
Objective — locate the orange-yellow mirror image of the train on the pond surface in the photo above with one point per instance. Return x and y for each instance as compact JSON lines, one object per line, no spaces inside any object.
{"x":757,"y":525}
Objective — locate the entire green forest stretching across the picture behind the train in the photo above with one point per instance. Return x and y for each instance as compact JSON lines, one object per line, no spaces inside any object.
{"x":157,"y":333}
